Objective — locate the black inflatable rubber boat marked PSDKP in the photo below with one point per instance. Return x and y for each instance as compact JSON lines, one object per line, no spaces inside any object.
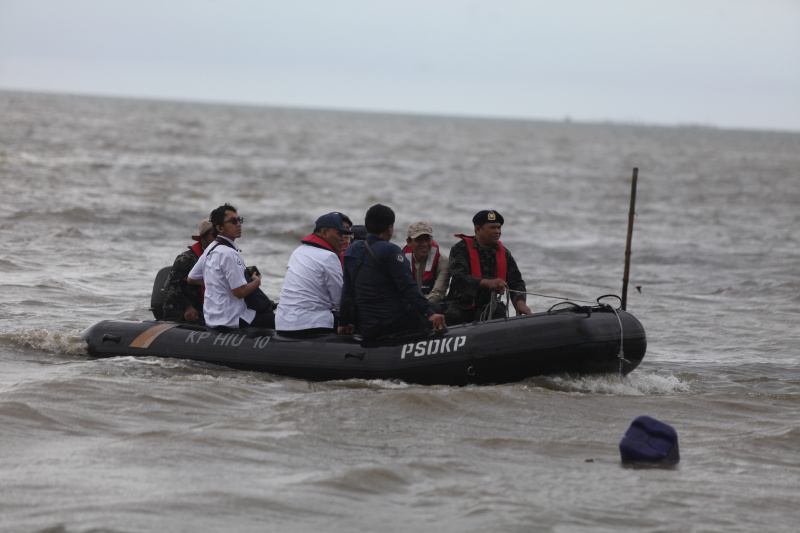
{"x":567,"y":339}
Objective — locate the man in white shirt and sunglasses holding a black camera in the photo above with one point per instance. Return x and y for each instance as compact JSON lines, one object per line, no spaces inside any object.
{"x":221,"y":269}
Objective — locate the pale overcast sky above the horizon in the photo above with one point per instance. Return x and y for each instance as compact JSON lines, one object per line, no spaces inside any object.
{"x":726,"y":63}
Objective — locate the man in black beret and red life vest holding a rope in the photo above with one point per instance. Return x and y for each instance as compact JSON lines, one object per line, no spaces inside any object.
{"x":481,"y":267}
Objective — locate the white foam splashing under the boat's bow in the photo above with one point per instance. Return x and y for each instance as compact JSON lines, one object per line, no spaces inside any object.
{"x":637,"y":384}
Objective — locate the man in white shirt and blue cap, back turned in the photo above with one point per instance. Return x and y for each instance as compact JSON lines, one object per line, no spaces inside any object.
{"x":312,"y":289}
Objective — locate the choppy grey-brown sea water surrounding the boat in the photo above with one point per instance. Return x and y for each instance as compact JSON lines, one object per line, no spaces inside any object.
{"x":101,"y":193}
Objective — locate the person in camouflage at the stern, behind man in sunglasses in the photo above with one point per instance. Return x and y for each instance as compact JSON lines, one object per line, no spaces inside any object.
{"x":184,"y":302}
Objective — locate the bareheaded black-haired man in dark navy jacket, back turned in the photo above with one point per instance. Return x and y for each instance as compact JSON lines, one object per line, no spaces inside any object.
{"x":379,"y":295}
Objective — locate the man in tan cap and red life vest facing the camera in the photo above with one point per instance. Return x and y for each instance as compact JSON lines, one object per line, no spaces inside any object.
{"x":429,"y":267}
